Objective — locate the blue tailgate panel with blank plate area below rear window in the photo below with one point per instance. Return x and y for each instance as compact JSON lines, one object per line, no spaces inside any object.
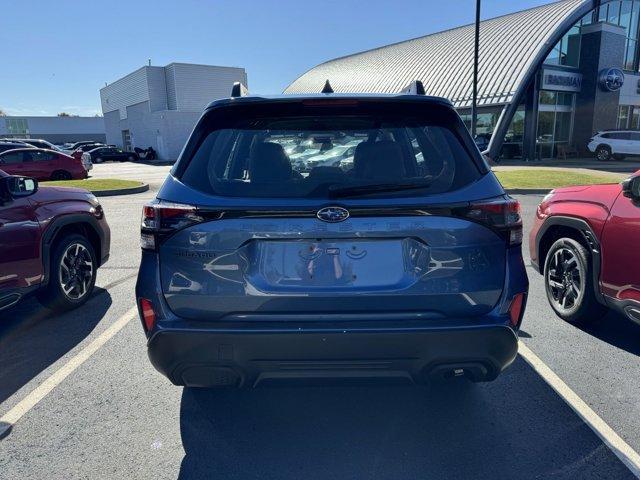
{"x":431,"y":265}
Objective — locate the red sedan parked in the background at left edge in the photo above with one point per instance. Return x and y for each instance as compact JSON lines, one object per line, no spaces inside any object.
{"x":42,"y":164}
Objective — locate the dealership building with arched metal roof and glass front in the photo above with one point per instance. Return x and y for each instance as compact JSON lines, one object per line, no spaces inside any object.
{"x":549,"y":77}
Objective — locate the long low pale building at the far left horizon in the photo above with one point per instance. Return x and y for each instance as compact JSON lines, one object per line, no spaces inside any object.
{"x":53,"y":129}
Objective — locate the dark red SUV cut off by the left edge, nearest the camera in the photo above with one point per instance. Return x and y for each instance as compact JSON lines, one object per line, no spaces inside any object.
{"x":52,"y":241}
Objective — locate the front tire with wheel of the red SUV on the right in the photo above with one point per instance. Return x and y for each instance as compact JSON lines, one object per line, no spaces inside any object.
{"x":568,"y":280}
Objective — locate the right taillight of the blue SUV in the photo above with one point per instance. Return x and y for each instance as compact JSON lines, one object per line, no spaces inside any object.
{"x":501,"y":214}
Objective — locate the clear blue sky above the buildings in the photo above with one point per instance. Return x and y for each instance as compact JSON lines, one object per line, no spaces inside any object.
{"x":56,"y":54}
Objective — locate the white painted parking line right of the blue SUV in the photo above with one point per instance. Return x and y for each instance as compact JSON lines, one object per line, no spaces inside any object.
{"x":611,"y":439}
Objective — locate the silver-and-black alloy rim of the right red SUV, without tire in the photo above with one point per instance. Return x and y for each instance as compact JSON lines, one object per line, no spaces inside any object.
{"x":565,"y":280}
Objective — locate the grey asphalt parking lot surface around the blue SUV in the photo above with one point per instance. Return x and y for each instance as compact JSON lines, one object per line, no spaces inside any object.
{"x":114,"y":416}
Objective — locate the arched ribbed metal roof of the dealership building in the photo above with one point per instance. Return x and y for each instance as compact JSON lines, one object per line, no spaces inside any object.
{"x":509,"y":46}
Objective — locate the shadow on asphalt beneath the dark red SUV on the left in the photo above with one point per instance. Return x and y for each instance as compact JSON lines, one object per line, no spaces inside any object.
{"x":32,"y":338}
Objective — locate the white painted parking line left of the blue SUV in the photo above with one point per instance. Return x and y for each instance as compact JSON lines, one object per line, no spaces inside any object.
{"x":42,"y":390}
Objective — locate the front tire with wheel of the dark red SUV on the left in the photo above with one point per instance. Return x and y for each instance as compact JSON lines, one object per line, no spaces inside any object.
{"x":62,"y":292}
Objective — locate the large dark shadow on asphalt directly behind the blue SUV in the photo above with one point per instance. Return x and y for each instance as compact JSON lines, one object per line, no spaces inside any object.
{"x":515,"y":427}
